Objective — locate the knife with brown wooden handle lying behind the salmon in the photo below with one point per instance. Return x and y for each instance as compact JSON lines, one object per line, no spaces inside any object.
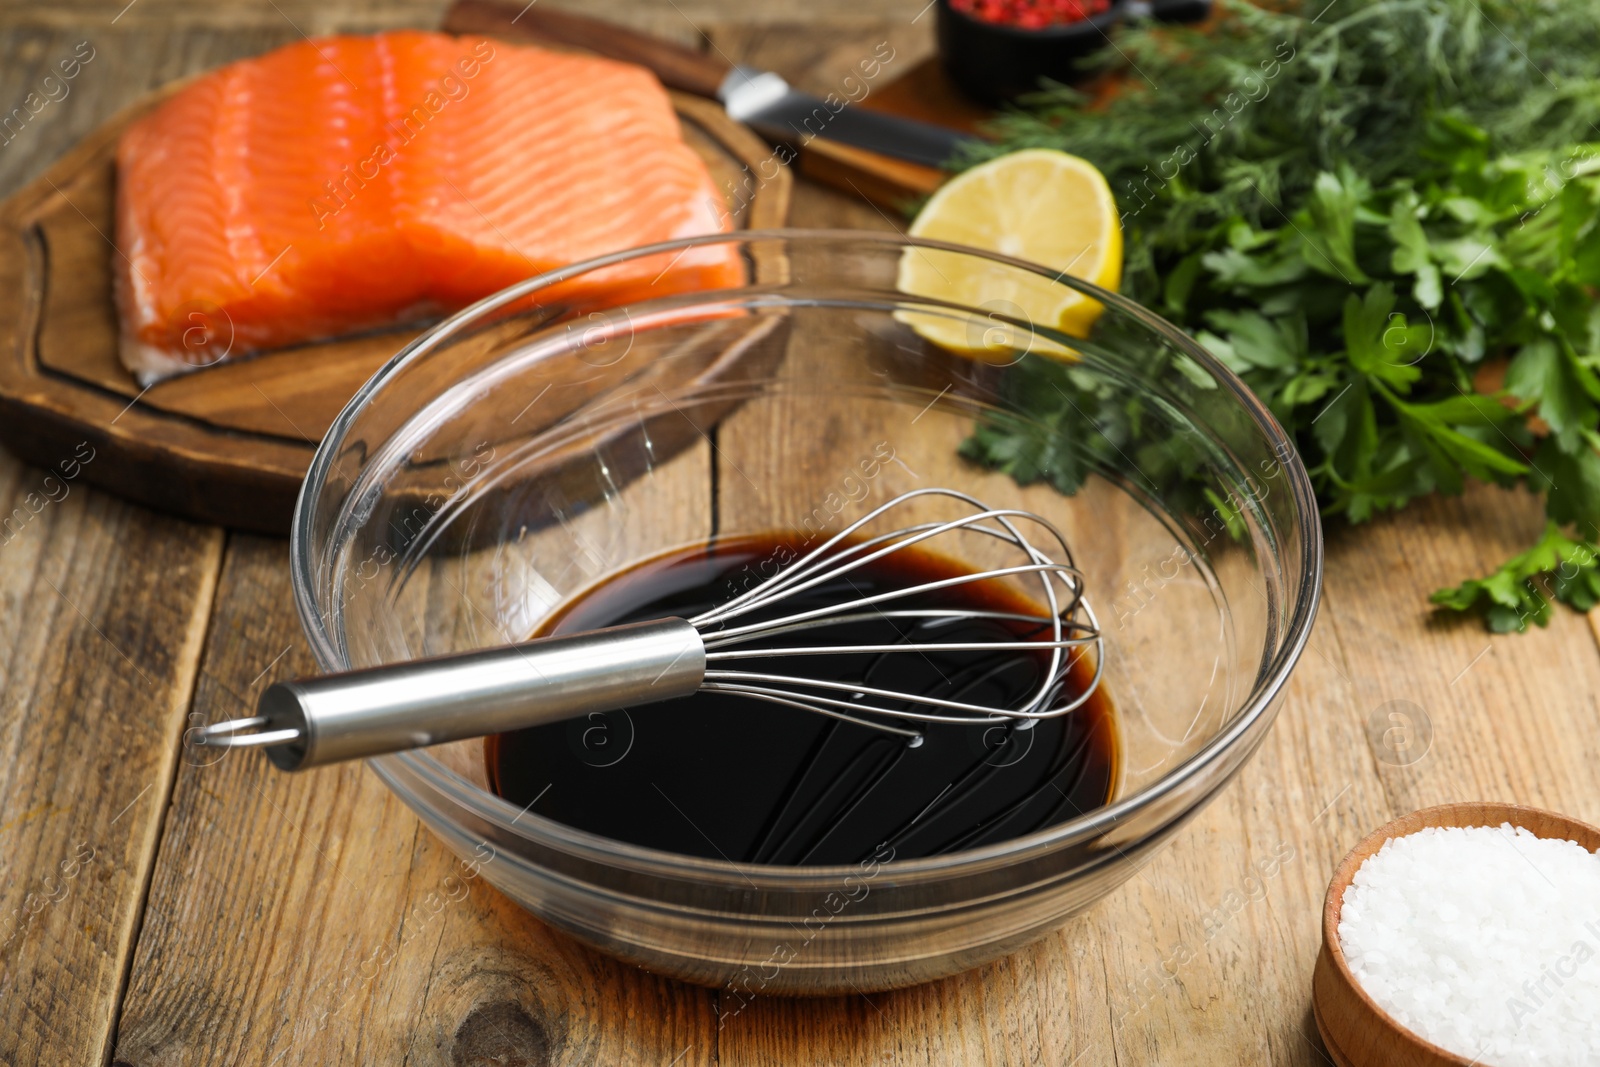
{"x":761,"y":100}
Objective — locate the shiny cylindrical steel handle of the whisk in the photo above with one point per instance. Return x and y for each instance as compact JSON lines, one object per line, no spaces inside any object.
{"x":470,"y":695}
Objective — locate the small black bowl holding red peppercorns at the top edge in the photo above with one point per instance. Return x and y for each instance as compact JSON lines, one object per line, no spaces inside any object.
{"x":994,"y":63}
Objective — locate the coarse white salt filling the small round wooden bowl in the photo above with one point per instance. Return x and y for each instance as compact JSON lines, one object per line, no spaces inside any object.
{"x":1482,"y":940}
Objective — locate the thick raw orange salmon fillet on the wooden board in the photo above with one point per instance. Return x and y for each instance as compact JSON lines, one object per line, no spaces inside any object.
{"x":345,"y":185}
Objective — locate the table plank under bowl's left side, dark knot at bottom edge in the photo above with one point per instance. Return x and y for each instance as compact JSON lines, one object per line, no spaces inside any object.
{"x":313,"y":919}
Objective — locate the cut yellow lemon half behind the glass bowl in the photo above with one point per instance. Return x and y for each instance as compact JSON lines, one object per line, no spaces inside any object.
{"x":1041,"y":206}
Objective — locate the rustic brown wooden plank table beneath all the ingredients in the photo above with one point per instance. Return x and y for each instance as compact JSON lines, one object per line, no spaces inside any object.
{"x":161,"y":913}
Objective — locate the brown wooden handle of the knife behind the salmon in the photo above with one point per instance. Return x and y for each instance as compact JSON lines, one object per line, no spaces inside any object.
{"x":679,"y":68}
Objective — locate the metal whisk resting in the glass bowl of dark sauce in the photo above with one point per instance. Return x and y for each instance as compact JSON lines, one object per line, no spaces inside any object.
{"x":385,"y":709}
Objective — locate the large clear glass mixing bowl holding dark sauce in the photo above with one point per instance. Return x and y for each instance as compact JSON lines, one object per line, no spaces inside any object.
{"x":588,"y":420}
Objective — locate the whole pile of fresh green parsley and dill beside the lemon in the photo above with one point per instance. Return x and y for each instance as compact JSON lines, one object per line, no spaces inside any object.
{"x":1361,"y":207}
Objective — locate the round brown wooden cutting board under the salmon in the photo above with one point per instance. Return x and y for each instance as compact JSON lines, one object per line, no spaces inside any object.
{"x":230,"y":444}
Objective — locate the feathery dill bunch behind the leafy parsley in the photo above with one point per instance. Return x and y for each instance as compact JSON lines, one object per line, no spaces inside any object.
{"x":1353,"y":82}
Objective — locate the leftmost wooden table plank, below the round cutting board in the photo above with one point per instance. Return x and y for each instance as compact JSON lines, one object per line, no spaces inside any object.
{"x":105,"y":612}
